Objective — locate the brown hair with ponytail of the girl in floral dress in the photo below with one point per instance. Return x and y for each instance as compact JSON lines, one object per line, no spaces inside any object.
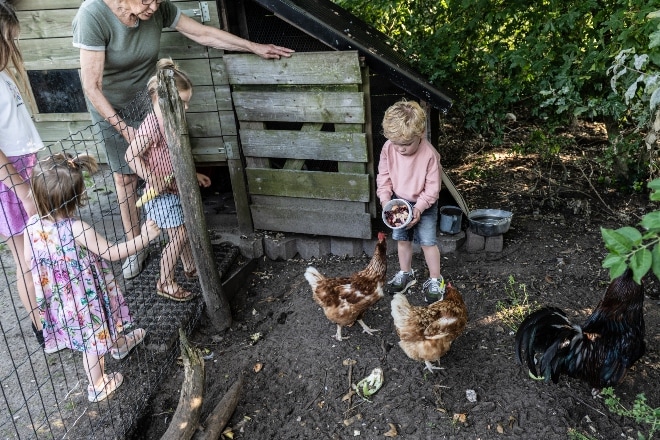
{"x":58,"y":184}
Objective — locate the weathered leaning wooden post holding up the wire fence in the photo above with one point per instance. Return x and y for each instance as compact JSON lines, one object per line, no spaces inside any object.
{"x":176,"y":133}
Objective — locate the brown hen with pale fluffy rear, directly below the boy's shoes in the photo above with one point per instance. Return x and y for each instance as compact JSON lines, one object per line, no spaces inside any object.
{"x":426,"y":333}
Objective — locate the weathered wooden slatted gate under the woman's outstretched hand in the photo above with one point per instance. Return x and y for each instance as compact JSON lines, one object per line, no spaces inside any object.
{"x":322,"y":94}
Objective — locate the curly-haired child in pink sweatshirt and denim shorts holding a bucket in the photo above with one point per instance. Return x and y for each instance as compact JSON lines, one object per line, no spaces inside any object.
{"x":409,"y":168}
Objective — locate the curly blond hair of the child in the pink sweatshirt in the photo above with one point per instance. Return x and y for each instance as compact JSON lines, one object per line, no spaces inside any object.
{"x":403,"y":121}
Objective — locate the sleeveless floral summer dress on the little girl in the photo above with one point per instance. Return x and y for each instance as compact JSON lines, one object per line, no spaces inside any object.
{"x":81,"y":306}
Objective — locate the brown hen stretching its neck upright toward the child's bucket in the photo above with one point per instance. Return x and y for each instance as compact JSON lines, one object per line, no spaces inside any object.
{"x":345,"y":299}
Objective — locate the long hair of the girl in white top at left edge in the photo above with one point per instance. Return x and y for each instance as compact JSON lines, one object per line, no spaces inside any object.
{"x":11,"y":60}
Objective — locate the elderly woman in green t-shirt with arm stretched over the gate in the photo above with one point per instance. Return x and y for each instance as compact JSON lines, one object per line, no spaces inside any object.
{"x":119,"y":42}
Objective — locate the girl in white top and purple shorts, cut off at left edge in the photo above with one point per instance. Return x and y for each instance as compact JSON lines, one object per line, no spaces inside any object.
{"x":19,"y":142}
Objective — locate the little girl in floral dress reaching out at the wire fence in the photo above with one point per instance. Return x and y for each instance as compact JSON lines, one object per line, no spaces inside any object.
{"x":82,"y":306}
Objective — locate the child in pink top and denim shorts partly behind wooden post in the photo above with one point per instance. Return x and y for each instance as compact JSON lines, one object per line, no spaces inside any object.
{"x":148,"y":155}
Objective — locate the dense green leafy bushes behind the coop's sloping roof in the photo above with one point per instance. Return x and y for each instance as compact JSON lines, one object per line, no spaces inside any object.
{"x":549,"y":61}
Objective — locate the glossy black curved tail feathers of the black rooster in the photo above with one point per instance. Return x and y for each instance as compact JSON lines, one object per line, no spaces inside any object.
{"x":537,"y":333}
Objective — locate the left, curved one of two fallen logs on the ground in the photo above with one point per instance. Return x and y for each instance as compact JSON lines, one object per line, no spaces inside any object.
{"x":186,"y":418}
